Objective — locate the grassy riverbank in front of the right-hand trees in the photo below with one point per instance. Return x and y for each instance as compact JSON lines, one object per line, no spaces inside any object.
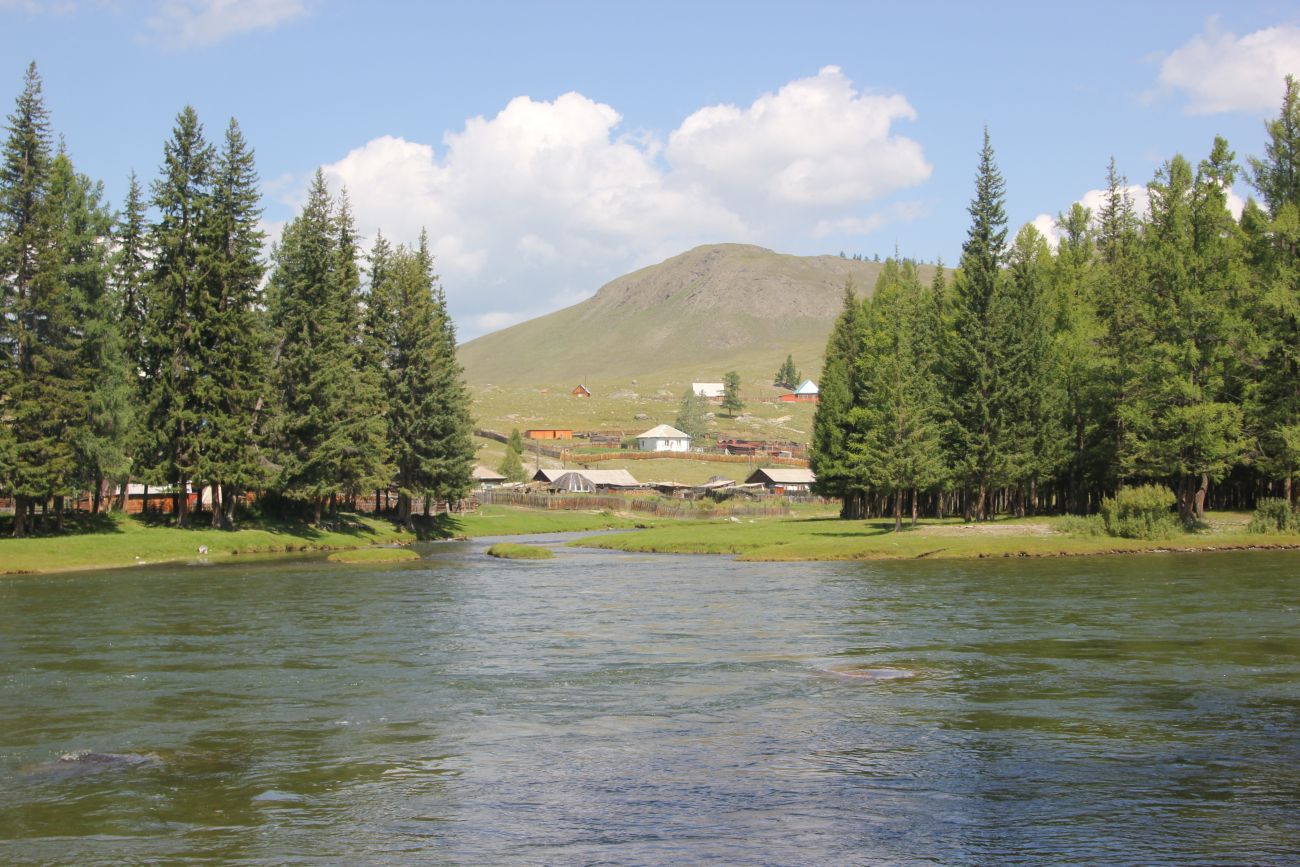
{"x":826,"y":539}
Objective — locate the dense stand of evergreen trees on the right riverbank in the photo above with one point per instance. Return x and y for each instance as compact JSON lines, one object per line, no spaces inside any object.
{"x":1147,"y":349}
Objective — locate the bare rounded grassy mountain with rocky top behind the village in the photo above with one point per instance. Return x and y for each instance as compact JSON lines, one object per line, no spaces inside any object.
{"x":695,"y":317}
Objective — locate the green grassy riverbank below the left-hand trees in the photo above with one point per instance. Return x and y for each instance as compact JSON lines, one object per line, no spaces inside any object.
{"x":115,"y":541}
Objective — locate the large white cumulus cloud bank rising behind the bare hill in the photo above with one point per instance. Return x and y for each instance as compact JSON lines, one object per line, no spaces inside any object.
{"x":543,"y":203}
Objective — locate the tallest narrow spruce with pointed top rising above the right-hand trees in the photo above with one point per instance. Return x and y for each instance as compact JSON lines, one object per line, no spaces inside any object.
{"x":976,"y":409}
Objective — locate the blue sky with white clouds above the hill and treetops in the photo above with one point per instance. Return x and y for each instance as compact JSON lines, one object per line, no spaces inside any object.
{"x":551,"y":148}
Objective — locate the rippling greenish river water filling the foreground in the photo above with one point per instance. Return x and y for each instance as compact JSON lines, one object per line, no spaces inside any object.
{"x":605,"y":708}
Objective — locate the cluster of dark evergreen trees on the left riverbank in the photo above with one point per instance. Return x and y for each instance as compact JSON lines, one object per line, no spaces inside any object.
{"x":150,"y":346}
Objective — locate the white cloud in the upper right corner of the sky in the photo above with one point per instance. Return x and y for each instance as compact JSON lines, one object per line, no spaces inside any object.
{"x":1223,"y":72}
